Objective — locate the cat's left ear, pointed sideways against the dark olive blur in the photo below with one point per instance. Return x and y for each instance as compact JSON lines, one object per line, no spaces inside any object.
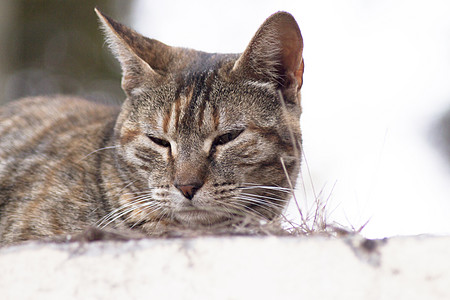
{"x":143,"y":60}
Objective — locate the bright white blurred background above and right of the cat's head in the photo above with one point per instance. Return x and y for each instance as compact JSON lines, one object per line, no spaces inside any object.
{"x":377,"y":80}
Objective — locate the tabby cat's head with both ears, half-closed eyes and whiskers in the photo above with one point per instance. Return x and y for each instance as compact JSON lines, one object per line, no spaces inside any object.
{"x":206,"y":137}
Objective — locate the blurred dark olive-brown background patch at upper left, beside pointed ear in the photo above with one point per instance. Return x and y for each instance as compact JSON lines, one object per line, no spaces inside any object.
{"x":56,"y":47}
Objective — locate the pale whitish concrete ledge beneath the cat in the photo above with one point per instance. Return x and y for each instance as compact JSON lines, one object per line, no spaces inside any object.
{"x":230,"y":268}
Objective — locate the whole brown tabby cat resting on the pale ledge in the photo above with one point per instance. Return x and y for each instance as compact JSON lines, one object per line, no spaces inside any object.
{"x":200,"y":139}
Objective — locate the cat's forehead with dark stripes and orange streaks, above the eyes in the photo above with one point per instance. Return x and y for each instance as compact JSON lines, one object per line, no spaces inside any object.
{"x":203,"y":102}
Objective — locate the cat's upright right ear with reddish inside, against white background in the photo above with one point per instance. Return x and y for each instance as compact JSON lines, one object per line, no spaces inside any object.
{"x":275,"y":53}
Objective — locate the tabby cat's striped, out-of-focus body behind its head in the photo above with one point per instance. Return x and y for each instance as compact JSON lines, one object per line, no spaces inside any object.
{"x":47,"y":172}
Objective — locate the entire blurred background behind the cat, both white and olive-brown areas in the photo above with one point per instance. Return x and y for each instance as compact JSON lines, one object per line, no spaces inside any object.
{"x":376,"y":93}
